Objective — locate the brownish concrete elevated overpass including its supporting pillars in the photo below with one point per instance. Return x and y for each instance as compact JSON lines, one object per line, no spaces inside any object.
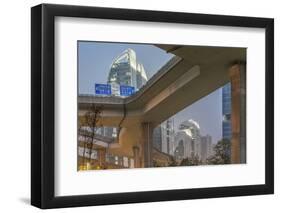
{"x":192,"y":74}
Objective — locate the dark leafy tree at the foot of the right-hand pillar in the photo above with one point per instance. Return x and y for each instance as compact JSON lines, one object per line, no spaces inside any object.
{"x":222,"y":153}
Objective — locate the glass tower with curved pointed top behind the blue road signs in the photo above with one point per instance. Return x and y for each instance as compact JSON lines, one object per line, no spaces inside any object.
{"x":125,"y":70}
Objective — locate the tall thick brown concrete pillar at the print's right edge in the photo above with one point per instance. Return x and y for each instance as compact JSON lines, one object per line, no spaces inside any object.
{"x":238,"y":113}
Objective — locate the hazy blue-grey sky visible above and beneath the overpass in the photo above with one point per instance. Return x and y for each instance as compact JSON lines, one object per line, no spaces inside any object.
{"x":95,"y":59}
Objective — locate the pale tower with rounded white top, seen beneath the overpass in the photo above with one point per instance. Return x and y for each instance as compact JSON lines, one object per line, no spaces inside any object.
{"x":189,"y":134}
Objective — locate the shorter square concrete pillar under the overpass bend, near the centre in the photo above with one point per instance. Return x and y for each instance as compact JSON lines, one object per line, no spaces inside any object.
{"x":147,"y":145}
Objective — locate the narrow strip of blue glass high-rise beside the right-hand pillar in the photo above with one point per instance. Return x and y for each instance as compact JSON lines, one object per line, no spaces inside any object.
{"x":226,"y":111}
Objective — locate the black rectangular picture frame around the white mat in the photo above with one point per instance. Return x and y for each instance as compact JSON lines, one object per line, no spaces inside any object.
{"x":43,"y":102}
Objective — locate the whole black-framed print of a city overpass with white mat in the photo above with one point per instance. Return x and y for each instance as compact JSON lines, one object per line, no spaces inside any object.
{"x":139,"y":106}
